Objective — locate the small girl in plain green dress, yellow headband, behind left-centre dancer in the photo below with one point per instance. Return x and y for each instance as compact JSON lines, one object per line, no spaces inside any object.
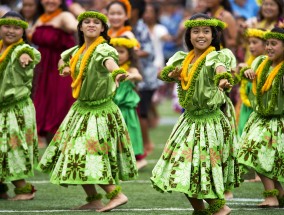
{"x":126,"y":97}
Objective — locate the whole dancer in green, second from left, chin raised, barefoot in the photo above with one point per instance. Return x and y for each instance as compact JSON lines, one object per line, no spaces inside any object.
{"x":92,"y":145}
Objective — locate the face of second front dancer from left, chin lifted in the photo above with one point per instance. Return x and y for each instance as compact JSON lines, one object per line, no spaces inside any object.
{"x":91,"y":27}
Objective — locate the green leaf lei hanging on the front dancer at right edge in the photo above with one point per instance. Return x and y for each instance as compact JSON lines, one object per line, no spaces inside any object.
{"x":275,"y":87}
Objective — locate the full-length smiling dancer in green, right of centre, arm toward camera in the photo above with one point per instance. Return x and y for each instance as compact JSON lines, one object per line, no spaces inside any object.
{"x":199,"y":158}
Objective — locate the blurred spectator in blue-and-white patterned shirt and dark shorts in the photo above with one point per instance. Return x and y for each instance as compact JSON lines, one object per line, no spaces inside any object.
{"x":149,"y":72}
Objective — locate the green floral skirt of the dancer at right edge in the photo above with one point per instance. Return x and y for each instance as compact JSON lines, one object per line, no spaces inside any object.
{"x":262,"y":146}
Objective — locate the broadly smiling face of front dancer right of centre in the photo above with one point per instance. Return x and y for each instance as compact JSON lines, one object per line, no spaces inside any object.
{"x":201,"y":37}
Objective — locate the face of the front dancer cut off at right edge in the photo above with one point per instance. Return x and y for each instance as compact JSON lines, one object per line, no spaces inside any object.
{"x":275,"y":50}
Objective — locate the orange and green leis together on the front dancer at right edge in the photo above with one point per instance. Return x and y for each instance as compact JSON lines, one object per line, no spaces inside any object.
{"x":264,"y":83}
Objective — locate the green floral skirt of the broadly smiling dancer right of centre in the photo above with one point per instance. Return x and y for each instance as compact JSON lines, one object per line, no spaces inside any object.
{"x":199,"y":158}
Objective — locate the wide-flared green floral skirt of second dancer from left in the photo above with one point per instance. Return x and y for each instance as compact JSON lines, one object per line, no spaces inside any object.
{"x":91,"y":146}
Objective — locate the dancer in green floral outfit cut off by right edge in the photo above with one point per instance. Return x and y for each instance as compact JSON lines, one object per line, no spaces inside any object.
{"x":262,"y":145}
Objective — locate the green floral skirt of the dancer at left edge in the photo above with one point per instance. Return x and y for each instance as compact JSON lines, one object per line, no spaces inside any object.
{"x":18,"y":141}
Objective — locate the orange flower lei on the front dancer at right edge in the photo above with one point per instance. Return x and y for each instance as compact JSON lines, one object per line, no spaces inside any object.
{"x":268,"y":82}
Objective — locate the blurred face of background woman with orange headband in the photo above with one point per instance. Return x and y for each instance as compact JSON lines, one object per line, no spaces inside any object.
{"x":116,"y":15}
